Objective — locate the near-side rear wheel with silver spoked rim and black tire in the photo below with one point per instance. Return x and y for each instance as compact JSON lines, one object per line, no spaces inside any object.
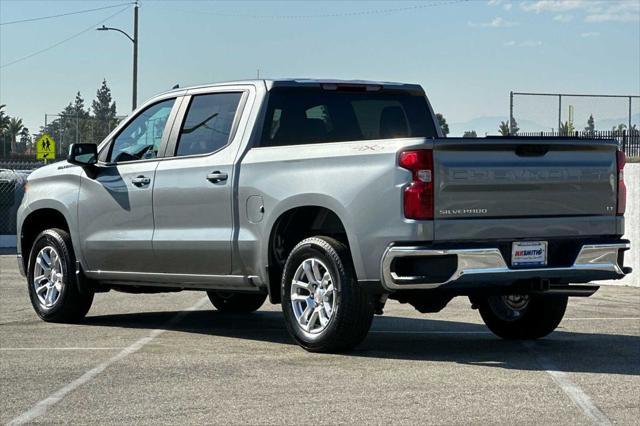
{"x":322,"y":318}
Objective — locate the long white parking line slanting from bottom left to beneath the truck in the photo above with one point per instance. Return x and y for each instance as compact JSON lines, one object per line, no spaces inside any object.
{"x":41,"y":407}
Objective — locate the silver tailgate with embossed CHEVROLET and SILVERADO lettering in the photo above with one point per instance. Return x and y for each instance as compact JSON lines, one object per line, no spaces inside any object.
{"x":497,"y":178}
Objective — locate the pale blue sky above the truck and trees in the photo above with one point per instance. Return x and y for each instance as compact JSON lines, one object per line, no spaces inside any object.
{"x":467,"y":55}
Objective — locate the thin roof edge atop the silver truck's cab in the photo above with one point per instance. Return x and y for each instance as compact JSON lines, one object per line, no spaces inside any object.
{"x":304,"y":82}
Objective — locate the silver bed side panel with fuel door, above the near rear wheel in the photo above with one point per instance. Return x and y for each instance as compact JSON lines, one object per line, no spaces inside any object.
{"x":359,"y":181}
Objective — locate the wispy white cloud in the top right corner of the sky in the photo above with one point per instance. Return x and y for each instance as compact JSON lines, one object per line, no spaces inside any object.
{"x":590,"y":10}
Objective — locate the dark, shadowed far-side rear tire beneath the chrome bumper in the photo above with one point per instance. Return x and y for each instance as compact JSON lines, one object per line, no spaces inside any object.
{"x":511,"y":318}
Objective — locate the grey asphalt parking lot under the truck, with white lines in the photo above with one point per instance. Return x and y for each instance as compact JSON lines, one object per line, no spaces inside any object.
{"x":171,"y":358}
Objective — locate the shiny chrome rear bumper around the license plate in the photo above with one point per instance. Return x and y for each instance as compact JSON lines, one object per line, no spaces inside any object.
{"x":594,"y":261}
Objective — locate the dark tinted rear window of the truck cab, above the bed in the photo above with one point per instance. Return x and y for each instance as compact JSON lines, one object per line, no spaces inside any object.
{"x":298,"y":116}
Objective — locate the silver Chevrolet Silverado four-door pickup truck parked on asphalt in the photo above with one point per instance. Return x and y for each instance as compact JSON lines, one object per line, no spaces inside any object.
{"x":328,"y":197}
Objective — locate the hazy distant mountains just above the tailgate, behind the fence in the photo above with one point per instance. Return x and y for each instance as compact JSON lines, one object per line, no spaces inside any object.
{"x":489,"y":125}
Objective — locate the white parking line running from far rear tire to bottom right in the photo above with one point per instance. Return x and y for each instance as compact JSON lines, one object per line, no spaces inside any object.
{"x":571,"y":389}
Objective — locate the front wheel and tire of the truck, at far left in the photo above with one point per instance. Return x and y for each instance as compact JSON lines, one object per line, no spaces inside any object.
{"x":58,"y":298}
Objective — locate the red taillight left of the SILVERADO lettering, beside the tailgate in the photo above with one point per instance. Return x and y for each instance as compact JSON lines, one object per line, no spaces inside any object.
{"x":418,"y":196}
